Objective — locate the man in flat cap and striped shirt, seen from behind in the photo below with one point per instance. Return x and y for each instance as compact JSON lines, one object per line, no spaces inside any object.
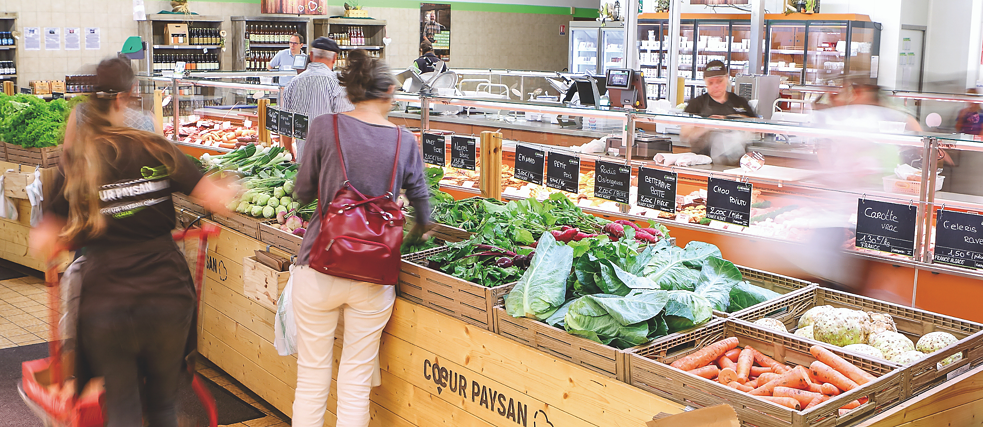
{"x":316,"y":91}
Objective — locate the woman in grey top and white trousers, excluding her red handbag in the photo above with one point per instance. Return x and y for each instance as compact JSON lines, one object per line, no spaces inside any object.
{"x":319,"y":299}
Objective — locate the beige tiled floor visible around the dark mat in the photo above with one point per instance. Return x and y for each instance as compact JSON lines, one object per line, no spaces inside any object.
{"x":24,"y":320}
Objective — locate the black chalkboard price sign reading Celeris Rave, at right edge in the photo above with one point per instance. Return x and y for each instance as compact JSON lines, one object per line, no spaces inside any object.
{"x":958,"y":239}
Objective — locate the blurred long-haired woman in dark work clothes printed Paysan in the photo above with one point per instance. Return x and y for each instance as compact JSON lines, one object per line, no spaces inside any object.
{"x":113,"y":196}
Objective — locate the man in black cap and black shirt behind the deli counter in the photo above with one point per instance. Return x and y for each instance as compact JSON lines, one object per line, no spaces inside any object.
{"x":724,"y":147}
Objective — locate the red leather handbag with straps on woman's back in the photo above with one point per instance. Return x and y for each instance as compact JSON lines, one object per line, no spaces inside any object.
{"x":360,"y":236}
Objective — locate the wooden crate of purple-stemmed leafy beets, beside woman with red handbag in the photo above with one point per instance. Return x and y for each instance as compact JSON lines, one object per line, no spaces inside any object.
{"x":470,"y":302}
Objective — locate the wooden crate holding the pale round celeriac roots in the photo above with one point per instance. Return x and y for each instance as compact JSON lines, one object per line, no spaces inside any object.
{"x":912,"y":322}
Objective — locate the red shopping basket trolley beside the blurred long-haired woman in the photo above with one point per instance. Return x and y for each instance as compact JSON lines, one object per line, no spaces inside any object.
{"x":43,"y":386}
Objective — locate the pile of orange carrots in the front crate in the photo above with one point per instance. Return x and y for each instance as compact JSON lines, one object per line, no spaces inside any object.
{"x":755,"y":373}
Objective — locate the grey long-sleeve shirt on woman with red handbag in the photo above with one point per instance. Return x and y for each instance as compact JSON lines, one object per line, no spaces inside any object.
{"x":368,"y":151}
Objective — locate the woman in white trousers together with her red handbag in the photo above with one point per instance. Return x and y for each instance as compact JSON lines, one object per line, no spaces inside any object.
{"x":355,"y":164}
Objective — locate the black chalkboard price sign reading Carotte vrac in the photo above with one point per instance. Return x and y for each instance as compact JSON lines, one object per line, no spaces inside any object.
{"x":886,"y":227}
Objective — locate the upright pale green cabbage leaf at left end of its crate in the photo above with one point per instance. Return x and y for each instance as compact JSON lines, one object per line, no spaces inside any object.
{"x":542,"y":288}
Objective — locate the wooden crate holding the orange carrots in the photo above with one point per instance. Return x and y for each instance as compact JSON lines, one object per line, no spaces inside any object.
{"x":649,"y":370}
